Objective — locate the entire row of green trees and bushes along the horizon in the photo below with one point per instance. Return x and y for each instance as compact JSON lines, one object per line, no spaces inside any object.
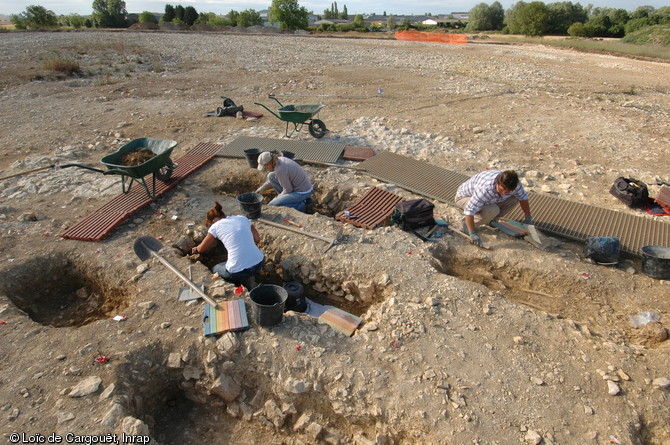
{"x":528,"y":18}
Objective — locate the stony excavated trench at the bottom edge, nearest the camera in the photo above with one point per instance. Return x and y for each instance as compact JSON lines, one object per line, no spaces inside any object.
{"x":178,"y":411}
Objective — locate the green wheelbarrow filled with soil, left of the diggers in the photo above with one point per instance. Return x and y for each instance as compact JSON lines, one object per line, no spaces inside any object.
{"x":160,"y":166}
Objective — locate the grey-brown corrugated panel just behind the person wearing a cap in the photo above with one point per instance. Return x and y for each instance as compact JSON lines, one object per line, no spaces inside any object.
{"x":326,"y":152}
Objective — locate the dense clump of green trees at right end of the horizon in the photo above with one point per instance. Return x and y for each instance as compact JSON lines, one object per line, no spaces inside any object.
{"x":563,"y":18}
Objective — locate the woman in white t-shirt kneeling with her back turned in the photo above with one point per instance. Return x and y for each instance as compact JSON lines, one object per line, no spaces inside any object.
{"x":240,"y":238}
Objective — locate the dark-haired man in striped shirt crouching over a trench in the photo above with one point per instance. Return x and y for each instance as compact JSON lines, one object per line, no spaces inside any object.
{"x":489,"y":195}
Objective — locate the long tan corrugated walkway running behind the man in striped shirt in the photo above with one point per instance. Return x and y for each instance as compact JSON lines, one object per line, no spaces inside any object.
{"x":553,"y":215}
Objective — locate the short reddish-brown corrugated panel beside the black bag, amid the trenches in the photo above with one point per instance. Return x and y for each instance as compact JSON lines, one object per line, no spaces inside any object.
{"x":375,"y":207}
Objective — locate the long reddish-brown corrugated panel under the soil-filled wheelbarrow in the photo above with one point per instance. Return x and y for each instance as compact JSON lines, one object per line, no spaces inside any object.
{"x":98,"y":225}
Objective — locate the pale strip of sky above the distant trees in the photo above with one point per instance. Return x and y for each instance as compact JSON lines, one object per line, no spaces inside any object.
{"x":396,"y":7}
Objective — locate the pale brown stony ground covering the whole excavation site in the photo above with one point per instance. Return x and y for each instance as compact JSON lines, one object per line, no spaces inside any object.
{"x":457,"y":345}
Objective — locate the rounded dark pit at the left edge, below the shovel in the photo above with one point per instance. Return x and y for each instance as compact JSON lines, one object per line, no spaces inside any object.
{"x":60,"y":291}
